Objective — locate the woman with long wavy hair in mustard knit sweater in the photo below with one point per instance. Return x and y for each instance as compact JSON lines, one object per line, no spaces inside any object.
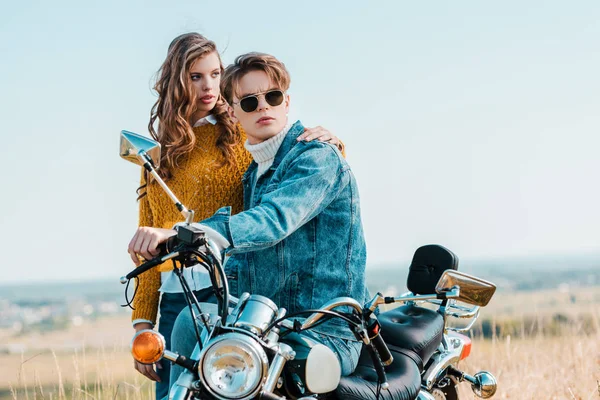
{"x":203,"y":162}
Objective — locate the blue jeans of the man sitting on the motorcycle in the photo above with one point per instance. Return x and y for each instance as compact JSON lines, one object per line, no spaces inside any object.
{"x":184,"y":341}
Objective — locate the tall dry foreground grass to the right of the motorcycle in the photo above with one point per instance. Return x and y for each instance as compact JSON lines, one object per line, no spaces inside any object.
{"x":544,"y":368}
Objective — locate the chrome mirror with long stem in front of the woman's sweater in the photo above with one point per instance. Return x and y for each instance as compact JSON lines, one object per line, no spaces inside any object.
{"x":146,"y":152}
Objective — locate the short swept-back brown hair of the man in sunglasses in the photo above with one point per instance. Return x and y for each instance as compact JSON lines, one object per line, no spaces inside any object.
{"x":254,"y":61}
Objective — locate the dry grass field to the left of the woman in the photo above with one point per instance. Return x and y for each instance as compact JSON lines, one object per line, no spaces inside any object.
{"x":96,"y":366}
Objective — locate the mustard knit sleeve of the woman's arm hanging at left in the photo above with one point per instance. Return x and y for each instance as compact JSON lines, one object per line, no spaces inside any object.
{"x":146,"y":299}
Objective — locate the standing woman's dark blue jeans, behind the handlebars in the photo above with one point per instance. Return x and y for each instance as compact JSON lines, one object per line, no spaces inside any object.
{"x":171,"y":305}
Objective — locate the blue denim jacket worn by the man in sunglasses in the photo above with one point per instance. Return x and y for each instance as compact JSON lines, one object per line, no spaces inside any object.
{"x":300,"y":239}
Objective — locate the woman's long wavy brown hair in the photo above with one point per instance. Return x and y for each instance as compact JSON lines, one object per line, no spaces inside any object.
{"x":177,"y":102}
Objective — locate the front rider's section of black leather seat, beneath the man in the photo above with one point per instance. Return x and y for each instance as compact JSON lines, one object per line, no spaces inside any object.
{"x":403,"y":375}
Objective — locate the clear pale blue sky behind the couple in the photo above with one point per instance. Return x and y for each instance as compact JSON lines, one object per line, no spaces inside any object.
{"x":471,"y":124}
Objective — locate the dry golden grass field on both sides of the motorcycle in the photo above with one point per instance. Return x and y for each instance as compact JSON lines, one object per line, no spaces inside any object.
{"x":539,"y":364}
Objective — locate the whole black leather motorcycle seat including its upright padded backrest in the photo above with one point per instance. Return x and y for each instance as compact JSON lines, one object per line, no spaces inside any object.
{"x":412,"y":334}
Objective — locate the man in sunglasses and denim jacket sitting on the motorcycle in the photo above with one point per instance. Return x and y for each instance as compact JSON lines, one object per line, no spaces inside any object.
{"x":300,"y":240}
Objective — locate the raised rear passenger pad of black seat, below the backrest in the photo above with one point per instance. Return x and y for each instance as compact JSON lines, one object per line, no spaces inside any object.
{"x":413,"y":328}
